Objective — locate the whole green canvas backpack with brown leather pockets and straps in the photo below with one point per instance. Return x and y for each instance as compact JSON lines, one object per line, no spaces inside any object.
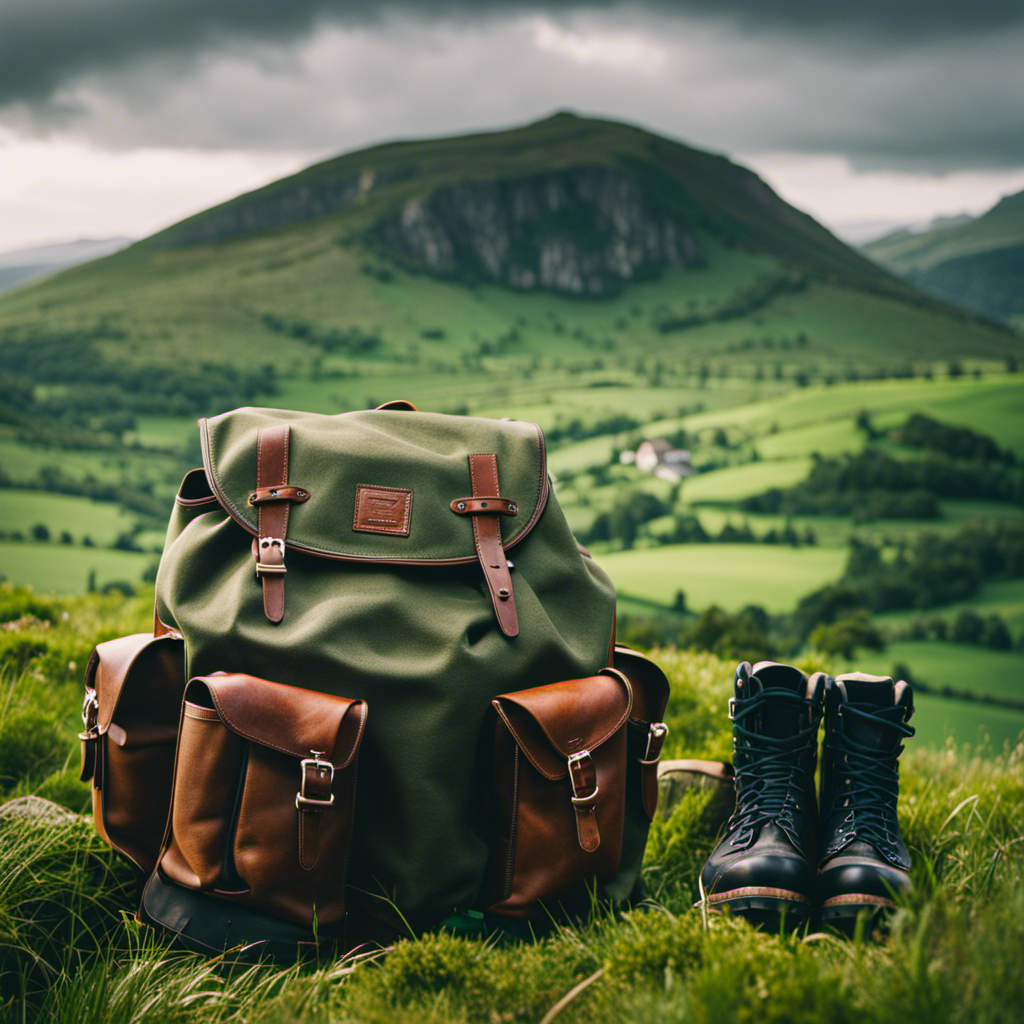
{"x":382,"y":694}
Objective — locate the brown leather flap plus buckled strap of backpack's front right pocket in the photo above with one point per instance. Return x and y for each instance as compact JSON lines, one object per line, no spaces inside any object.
{"x":562,"y":728}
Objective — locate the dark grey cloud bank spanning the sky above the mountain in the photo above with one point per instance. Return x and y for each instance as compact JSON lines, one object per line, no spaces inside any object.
{"x":912,"y":84}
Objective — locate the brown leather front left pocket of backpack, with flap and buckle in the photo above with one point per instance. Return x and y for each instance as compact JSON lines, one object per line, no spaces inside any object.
{"x":265,"y":790}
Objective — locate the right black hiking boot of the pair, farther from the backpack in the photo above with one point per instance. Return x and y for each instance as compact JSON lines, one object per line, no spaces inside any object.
{"x":864,"y":863}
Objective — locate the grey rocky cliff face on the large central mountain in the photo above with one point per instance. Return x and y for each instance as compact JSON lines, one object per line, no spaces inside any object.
{"x":585,"y":231}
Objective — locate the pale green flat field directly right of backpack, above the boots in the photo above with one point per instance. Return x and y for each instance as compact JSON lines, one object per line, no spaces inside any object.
{"x":732,"y":576}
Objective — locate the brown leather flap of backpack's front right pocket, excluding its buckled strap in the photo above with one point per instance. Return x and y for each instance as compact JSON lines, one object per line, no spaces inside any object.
{"x":550,"y":723}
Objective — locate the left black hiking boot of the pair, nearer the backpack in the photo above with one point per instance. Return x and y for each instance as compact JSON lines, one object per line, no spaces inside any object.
{"x":763,"y":867}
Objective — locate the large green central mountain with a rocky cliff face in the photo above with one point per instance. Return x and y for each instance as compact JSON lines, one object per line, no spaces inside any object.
{"x":530,"y":248}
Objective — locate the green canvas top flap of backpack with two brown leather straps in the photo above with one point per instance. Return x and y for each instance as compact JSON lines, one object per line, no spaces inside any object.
{"x":380,"y":488}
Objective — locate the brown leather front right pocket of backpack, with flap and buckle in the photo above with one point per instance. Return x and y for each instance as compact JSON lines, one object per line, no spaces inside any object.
{"x":559,"y":805}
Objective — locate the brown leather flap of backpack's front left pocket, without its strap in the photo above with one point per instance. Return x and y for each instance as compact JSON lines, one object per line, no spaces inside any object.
{"x":285,"y":718}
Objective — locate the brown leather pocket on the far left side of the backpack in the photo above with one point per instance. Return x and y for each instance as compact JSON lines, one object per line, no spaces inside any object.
{"x":134,"y":689}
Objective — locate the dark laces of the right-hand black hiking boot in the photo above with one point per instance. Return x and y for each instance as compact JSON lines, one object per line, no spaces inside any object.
{"x":870,"y":782}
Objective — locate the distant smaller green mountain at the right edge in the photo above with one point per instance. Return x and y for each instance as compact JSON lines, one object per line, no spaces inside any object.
{"x":978,"y":265}
